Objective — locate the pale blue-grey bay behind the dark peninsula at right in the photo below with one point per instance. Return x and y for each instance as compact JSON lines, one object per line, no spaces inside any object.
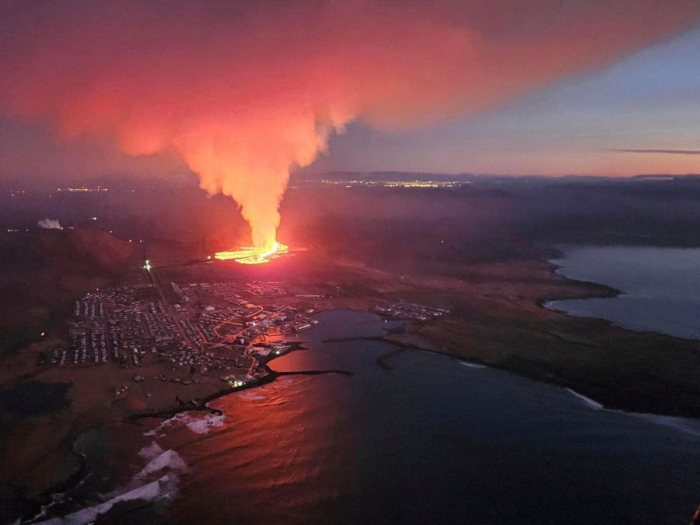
{"x":660,"y":287}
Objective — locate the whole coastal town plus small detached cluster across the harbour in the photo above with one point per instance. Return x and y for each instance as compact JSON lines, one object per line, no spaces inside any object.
{"x":162,"y":335}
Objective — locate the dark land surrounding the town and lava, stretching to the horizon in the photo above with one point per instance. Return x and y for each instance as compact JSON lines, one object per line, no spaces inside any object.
{"x":479,"y":249}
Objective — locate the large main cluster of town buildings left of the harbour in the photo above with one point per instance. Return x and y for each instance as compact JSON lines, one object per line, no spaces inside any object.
{"x":214,"y":329}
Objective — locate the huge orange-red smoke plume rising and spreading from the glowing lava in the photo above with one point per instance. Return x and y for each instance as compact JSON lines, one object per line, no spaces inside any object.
{"x":245,"y":91}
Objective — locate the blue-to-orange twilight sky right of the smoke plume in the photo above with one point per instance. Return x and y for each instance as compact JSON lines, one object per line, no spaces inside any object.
{"x":648,"y":101}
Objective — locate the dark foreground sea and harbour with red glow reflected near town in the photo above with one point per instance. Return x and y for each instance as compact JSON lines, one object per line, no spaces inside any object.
{"x":428,"y":442}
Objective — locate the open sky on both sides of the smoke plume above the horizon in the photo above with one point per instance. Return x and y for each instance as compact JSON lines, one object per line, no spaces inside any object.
{"x":636,"y":114}
